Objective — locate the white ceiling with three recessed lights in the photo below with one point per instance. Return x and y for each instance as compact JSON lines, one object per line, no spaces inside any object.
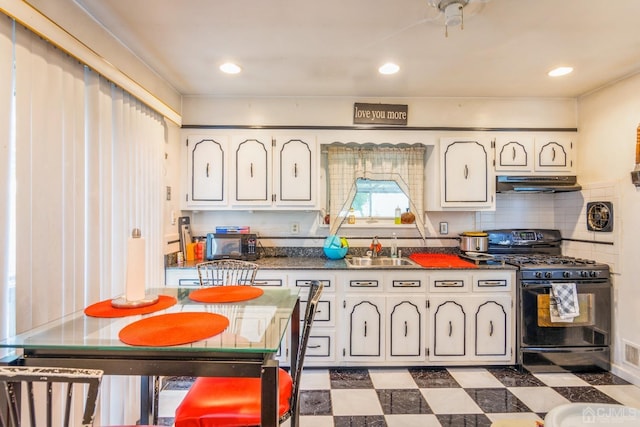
{"x":334,"y":47}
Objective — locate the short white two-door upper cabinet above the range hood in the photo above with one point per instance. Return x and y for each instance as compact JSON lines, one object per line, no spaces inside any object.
{"x":534,"y":154}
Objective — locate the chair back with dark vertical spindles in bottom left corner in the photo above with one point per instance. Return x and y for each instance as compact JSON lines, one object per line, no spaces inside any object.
{"x":40,"y":398}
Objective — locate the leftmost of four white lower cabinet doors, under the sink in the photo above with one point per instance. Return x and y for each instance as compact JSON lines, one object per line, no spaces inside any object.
{"x":365,"y":328}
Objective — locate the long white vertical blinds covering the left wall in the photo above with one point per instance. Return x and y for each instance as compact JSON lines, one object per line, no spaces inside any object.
{"x":88,"y":170}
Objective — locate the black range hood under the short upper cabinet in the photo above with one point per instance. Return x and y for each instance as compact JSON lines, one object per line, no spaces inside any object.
{"x":536,"y":184}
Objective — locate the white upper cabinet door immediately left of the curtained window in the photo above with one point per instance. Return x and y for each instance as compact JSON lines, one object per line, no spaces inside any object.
{"x":296,"y":172}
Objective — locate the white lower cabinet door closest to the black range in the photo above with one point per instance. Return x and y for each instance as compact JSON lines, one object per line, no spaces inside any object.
{"x":492,"y":323}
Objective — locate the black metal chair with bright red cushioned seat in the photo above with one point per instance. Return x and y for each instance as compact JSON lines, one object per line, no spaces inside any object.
{"x":232,"y":401}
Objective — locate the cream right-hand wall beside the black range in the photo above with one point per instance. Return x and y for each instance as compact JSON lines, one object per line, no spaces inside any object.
{"x":608,"y":120}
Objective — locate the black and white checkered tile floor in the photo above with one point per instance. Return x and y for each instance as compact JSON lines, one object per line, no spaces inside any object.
{"x":436,"y":396}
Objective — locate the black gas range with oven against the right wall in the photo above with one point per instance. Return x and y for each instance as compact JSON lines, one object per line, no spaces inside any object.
{"x":547,"y":343}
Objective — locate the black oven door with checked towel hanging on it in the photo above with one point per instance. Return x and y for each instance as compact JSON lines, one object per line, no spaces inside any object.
{"x":540,"y":328}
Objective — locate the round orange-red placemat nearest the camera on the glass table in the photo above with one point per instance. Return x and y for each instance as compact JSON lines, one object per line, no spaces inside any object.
{"x":173,"y":329}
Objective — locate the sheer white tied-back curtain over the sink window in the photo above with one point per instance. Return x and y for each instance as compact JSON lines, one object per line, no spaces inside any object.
{"x":403,"y":164}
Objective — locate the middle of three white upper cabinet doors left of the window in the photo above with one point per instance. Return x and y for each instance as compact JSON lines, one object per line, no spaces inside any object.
{"x":252,"y":175}
